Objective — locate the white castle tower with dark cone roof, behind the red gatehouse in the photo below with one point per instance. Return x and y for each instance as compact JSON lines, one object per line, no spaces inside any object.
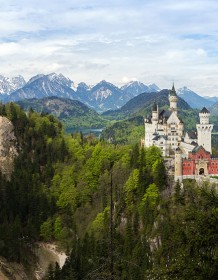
{"x":204,"y":130}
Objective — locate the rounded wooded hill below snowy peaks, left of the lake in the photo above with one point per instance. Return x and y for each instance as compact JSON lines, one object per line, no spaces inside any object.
{"x":73,"y":113}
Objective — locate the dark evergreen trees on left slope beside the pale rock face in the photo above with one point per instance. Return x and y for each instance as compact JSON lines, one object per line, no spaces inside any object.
{"x":26,"y":204}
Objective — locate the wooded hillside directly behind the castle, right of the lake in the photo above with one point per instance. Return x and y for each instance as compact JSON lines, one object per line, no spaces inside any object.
{"x":130,"y":117}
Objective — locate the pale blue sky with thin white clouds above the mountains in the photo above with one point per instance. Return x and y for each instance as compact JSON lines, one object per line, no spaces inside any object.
{"x":153,"y":41}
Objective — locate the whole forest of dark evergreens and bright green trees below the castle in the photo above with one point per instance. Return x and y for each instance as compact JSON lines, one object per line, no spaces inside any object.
{"x":111,"y":207}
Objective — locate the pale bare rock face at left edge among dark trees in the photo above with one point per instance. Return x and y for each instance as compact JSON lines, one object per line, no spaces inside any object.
{"x":8,"y":150}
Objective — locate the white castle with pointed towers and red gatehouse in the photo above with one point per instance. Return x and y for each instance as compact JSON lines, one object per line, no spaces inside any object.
{"x":192,"y":151}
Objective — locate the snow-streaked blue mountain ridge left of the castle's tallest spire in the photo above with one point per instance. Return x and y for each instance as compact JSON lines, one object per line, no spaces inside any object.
{"x":102,"y":96}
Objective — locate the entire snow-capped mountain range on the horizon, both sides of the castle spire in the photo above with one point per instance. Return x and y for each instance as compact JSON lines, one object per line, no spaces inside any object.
{"x":101,"y":97}
